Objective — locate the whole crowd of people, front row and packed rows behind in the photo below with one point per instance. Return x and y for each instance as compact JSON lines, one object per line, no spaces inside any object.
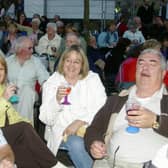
{"x":50,"y":61}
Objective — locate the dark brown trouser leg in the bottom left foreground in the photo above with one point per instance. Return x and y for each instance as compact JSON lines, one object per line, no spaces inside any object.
{"x":30,"y":151}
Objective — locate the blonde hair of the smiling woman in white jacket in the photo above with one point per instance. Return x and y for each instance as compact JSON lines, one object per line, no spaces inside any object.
{"x":85,"y":65}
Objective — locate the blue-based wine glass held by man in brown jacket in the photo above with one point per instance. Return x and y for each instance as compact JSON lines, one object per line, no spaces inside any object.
{"x":132,"y":104}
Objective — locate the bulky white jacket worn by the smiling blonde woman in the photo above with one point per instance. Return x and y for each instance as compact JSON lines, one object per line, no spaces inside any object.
{"x":86,"y":98}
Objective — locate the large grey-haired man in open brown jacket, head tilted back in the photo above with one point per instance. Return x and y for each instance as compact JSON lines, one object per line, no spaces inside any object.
{"x":107,"y":138}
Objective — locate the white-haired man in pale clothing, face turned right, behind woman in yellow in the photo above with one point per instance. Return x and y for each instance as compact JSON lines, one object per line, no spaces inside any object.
{"x":24,"y":70}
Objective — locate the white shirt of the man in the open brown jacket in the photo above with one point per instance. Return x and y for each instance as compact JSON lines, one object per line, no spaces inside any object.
{"x":142,"y":146}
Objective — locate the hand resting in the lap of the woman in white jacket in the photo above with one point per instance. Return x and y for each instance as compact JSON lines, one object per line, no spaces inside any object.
{"x":73,"y":127}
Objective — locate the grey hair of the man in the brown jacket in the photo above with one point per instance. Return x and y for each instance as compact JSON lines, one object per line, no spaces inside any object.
{"x":158,"y":54}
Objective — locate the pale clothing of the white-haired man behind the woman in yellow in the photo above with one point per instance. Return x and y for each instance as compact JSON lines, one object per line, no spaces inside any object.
{"x":25,"y":77}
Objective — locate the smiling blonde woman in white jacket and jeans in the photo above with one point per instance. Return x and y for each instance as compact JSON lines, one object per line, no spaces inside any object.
{"x":87,"y":96}
